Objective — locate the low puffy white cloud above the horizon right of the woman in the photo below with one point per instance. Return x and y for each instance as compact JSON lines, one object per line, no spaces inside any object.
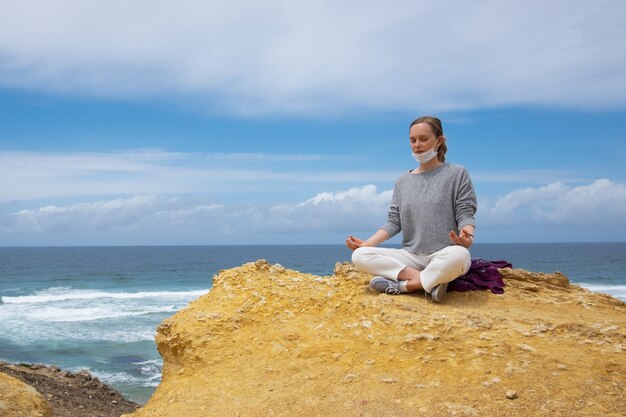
{"x":601,"y":204}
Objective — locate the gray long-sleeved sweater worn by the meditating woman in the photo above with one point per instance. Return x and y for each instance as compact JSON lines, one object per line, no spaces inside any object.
{"x":427,"y":206}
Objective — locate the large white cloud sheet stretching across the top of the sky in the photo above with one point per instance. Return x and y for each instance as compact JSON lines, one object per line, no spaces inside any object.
{"x":280,"y":57}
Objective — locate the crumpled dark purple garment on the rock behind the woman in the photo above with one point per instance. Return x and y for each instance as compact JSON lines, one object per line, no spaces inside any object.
{"x":482,"y":275}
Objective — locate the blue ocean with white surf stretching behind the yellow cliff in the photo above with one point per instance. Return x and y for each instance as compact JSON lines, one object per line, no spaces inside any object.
{"x":97,"y":308}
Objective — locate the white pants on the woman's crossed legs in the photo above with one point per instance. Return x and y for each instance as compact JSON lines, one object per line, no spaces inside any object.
{"x":442,"y":266}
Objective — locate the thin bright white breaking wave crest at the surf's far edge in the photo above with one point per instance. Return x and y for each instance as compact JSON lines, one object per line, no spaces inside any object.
{"x":57,"y":294}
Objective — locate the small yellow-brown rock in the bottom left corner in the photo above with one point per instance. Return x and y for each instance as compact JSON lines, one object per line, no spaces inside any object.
{"x":18,"y":399}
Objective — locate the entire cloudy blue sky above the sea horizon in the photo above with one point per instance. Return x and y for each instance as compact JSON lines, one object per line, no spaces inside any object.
{"x":244,"y":122}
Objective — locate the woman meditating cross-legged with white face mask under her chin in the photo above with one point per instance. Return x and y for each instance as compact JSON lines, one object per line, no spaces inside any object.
{"x":434,"y":206}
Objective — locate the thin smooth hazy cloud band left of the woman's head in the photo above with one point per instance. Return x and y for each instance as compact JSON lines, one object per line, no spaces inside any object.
{"x":33,"y":175}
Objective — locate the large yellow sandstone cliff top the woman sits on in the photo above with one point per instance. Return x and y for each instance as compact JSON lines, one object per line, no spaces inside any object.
{"x":267,"y":341}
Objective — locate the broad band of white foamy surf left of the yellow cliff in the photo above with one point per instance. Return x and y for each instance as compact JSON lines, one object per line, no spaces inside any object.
{"x":70,"y":314}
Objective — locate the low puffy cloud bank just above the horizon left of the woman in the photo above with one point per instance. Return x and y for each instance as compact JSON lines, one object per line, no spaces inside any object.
{"x":348,"y":211}
